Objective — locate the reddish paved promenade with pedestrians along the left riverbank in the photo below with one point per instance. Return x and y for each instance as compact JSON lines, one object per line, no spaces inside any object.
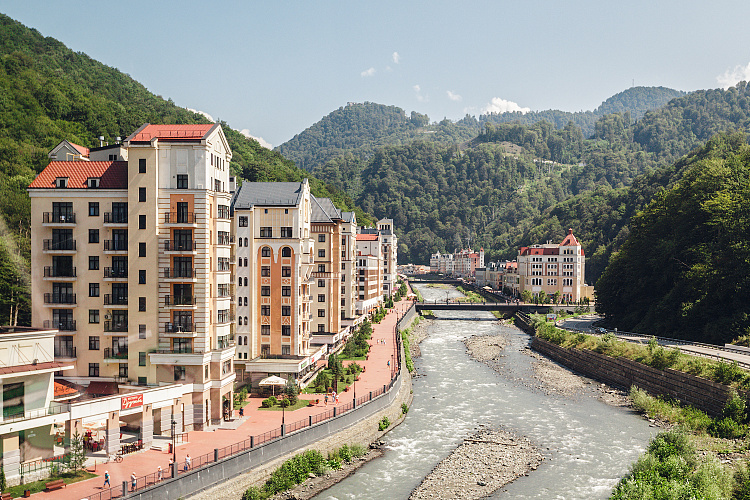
{"x":255,"y":421}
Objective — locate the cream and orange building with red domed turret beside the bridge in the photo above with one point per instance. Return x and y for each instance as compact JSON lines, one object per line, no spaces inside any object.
{"x":553,"y":268}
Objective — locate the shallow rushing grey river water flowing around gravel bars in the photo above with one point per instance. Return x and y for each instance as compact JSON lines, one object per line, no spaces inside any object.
{"x":587,"y":444}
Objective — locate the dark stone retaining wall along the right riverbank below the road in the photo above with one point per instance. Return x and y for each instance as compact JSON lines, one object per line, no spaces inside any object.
{"x":703,"y":394}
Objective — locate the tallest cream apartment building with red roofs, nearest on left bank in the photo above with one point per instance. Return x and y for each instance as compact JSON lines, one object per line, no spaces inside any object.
{"x":131,"y":262}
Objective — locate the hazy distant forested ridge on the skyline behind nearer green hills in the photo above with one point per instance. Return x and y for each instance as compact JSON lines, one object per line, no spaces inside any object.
{"x":360,"y":129}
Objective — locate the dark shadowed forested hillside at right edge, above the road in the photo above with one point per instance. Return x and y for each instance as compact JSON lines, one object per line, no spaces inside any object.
{"x":686,"y":261}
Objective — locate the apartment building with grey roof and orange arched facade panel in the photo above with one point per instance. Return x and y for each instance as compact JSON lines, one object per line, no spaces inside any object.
{"x":274,"y":274}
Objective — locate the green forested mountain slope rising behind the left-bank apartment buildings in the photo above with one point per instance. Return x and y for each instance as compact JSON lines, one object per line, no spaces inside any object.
{"x":49,"y":93}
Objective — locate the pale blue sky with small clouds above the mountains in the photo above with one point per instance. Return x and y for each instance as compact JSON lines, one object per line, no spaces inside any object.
{"x":273,"y":68}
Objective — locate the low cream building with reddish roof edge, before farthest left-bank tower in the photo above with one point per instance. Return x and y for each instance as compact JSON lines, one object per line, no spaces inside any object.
{"x":369,"y":272}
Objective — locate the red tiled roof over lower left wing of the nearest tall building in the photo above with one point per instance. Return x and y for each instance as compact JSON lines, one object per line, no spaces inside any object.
{"x":112,"y":174}
